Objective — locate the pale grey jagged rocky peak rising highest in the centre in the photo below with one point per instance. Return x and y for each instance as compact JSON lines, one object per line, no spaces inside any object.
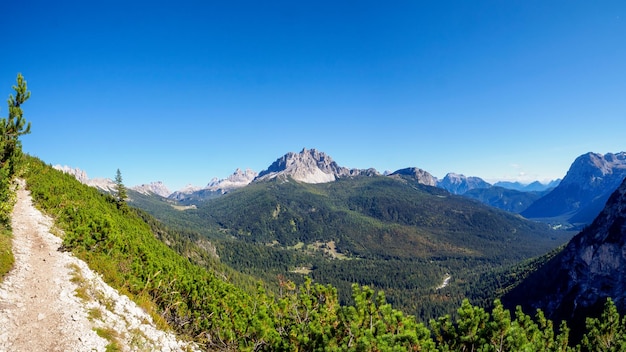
{"x":310,"y":166}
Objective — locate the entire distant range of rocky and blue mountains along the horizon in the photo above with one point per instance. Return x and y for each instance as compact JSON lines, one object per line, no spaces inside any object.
{"x":572,"y":202}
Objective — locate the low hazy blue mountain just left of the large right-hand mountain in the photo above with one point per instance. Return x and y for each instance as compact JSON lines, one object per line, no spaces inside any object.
{"x":503,"y":198}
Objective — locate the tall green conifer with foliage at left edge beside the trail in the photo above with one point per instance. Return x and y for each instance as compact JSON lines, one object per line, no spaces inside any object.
{"x":11,"y":128}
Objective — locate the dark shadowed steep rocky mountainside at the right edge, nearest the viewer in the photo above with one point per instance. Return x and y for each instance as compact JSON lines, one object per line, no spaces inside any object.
{"x":591,"y":268}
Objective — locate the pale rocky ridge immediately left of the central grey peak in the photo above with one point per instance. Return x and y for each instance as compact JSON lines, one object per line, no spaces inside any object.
{"x":215,"y":188}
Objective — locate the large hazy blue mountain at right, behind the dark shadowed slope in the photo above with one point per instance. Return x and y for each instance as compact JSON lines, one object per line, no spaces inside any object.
{"x":584,"y":190}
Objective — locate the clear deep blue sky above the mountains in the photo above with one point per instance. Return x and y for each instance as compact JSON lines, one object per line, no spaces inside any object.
{"x":185,"y":91}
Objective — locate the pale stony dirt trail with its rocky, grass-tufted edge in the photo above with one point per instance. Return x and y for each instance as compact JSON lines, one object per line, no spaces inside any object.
{"x":39,"y":308}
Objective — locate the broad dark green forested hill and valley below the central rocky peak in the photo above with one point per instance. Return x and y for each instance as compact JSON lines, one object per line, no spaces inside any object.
{"x":399,"y":236}
